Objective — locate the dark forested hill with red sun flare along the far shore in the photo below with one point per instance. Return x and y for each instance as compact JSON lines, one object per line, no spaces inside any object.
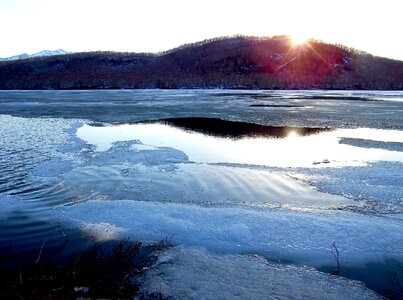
{"x":237,"y":62}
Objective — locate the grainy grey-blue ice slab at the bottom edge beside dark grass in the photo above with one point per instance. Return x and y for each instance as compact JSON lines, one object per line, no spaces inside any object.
{"x":196,"y":274}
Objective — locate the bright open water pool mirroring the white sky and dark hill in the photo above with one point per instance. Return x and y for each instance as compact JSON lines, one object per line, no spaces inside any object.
{"x":243,"y":143}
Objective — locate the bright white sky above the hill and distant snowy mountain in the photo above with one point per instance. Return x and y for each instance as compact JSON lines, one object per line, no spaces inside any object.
{"x":30,"y":26}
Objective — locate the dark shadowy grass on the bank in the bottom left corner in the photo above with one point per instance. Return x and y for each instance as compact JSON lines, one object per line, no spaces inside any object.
{"x":104,"y":270}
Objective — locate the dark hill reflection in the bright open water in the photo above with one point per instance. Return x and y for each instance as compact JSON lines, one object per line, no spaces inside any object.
{"x":236,"y":130}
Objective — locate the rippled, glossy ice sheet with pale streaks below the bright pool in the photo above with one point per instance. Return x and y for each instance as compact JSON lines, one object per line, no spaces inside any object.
{"x":207,"y":185}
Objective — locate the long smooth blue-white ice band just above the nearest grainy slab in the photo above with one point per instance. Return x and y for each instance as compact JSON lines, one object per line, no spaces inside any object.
{"x":304,"y":238}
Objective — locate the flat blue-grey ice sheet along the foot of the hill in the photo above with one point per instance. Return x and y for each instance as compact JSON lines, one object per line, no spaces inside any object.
{"x":314,"y":108}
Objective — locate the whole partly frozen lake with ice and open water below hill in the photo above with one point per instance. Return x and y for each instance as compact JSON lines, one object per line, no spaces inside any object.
{"x":261,"y":181}
